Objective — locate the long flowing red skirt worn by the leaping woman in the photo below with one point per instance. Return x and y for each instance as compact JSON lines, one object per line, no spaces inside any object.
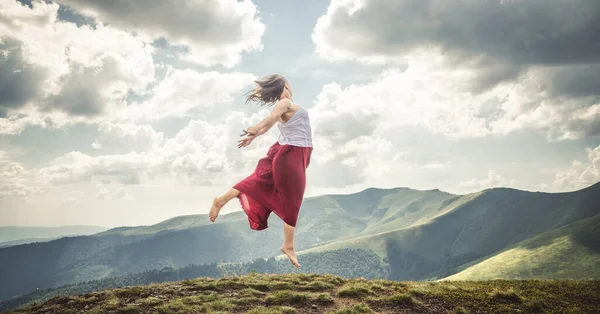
{"x":276,"y":185}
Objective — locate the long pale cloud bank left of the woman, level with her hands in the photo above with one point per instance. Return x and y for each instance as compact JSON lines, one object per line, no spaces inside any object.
{"x":201,"y":153}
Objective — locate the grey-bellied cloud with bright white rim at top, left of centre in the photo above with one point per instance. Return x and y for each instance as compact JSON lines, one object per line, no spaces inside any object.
{"x":213,"y":31}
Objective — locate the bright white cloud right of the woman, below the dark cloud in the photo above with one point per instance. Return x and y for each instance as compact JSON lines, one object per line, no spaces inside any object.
{"x":428,"y":94}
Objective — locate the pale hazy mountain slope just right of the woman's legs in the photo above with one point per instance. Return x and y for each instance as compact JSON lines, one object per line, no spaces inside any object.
{"x":328,"y":218}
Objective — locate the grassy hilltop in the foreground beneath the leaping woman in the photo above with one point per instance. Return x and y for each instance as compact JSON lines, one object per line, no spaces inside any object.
{"x":300,"y":293}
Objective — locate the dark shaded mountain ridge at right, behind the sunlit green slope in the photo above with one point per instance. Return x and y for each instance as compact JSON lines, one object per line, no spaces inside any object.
{"x":472,"y":227}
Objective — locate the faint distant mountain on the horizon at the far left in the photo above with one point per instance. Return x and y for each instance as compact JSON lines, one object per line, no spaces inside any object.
{"x":35,"y":234}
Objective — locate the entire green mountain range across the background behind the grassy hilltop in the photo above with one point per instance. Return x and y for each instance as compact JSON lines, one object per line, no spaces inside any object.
{"x":417,"y":235}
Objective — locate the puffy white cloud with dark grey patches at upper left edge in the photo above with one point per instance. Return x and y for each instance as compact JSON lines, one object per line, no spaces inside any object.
{"x":73,"y":73}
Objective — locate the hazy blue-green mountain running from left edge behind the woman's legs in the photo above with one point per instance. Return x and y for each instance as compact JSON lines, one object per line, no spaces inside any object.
{"x":183,"y":241}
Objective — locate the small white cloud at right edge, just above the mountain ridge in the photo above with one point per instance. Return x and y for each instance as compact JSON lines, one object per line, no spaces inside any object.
{"x":580,"y":175}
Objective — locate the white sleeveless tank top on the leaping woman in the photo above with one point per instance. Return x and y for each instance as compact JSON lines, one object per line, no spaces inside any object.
{"x":296,"y":131}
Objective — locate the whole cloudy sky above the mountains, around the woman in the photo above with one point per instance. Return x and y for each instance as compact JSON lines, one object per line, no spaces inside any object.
{"x":126,"y":113}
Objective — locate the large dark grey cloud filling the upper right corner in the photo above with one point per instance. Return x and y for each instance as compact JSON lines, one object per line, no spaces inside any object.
{"x":519,"y":31}
